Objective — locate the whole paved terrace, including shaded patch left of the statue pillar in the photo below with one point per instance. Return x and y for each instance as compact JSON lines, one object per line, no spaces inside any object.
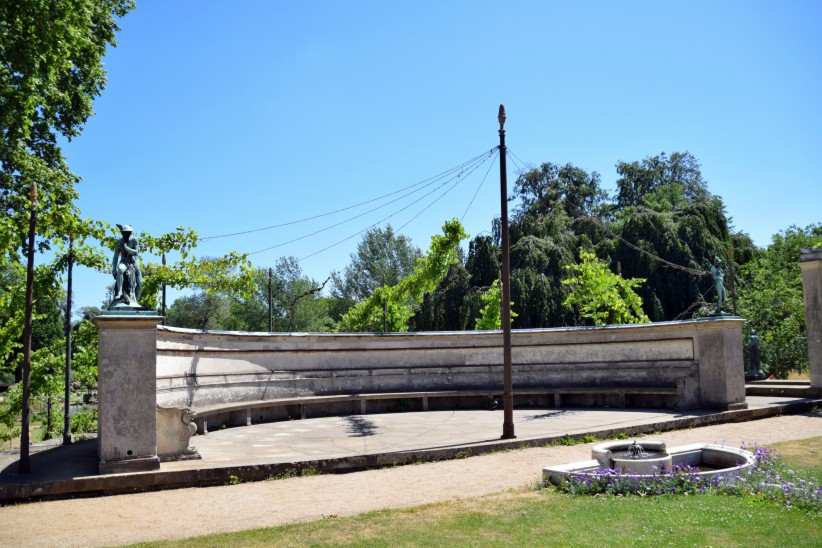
{"x":356,"y":435}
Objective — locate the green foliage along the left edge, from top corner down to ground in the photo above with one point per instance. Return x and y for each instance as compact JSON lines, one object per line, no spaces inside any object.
{"x":51,"y":70}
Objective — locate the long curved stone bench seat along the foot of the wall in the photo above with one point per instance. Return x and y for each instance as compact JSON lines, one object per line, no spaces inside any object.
{"x":246,"y":413}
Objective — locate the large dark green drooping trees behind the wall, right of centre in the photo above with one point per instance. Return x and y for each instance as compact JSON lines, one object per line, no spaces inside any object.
{"x":663,"y":225}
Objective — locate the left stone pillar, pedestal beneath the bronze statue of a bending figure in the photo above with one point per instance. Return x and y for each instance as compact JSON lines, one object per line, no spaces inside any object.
{"x":126,"y":392}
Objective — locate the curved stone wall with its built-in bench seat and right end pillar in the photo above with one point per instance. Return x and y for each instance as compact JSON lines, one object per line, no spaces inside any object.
{"x":236,"y":379}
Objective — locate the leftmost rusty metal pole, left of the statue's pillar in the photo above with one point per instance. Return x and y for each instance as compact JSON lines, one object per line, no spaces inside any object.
{"x":25,"y":464}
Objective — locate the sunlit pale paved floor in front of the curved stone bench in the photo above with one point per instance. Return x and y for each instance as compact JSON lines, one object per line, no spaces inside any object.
{"x":337,"y":437}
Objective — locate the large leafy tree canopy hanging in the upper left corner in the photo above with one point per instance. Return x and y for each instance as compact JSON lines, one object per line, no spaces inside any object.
{"x":51,"y":69}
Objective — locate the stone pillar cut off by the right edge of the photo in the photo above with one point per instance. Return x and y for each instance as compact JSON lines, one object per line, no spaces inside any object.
{"x":810,"y":261}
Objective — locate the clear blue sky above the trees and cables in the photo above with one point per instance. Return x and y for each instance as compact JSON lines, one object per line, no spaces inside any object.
{"x":226,"y":116}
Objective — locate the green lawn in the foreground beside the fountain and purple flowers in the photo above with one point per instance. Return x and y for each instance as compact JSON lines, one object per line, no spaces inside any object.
{"x":549,"y":518}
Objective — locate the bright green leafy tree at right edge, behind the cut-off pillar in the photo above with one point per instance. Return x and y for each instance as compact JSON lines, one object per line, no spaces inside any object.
{"x":770,"y":298}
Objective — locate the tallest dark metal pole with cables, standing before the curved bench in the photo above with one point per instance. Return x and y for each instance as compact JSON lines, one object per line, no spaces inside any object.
{"x":508,"y":391}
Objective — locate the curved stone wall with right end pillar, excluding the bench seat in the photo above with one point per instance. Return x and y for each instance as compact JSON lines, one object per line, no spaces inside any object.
{"x":702,"y":359}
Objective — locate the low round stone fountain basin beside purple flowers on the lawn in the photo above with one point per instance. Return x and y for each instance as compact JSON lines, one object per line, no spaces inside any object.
{"x":708,"y":461}
